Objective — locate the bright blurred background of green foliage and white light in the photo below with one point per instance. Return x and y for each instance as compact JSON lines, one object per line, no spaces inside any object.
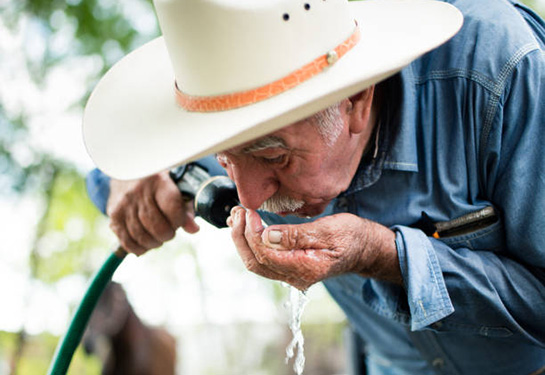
{"x":52,"y":239}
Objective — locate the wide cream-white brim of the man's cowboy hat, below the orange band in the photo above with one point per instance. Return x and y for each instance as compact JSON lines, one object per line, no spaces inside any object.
{"x":133,"y":127}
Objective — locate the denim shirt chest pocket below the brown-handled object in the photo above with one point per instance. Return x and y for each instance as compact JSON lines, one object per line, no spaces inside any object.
{"x":490,"y":238}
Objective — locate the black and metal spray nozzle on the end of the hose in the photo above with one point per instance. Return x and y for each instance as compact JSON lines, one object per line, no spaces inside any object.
{"x":213,"y":196}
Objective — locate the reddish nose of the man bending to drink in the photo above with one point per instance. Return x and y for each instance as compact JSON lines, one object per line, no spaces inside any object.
{"x":255,"y":183}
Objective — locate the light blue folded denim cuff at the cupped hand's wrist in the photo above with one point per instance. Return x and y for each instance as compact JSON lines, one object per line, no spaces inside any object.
{"x":427,"y":294}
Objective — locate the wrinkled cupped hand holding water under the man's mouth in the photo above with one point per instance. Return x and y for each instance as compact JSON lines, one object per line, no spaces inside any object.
{"x":304,"y":254}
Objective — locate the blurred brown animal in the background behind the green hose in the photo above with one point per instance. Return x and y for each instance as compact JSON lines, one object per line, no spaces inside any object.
{"x":124,"y":343}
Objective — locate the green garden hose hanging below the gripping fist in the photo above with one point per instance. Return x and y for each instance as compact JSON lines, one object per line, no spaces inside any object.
{"x":66,"y":348}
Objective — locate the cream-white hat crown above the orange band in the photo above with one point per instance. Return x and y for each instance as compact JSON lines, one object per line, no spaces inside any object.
{"x":219,"y":47}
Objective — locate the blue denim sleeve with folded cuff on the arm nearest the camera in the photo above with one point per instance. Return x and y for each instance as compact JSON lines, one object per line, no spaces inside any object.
{"x":498,"y":291}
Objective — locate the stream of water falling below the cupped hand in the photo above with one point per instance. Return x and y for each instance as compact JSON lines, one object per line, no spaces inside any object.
{"x":295,"y":306}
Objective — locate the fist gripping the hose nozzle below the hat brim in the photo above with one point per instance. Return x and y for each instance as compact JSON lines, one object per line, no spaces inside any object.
{"x":145,"y":213}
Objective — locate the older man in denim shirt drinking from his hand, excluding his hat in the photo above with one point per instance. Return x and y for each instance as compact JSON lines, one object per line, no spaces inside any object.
{"x":434,"y":179}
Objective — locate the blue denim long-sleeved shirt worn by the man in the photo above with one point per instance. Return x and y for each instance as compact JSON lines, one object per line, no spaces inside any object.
{"x":470,"y":131}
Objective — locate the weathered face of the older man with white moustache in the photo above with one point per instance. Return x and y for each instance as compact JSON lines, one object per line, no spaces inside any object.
{"x":295,"y":170}
